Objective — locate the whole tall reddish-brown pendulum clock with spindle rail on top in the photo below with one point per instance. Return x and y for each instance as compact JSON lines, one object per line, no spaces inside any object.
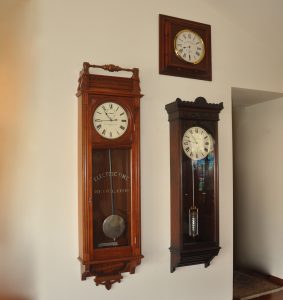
{"x":109,"y":174}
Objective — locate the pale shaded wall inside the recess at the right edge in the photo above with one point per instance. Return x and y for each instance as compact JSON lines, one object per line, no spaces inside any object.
{"x":258,"y":186}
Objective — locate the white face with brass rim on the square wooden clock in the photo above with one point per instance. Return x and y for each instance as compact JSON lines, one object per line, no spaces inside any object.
{"x":189,"y":46}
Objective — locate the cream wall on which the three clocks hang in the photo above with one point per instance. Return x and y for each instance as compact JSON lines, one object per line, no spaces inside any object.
{"x":44,"y":193}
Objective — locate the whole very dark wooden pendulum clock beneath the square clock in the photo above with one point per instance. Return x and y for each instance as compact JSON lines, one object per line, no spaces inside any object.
{"x":194,"y":181}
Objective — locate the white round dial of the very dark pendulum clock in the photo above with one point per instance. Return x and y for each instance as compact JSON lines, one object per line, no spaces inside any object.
{"x":197,"y":143}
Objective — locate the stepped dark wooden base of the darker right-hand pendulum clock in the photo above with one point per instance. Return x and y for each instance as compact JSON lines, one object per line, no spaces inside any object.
{"x":192,"y":257}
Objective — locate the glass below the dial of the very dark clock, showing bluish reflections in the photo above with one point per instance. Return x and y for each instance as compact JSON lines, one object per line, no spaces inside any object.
{"x":199,"y":199}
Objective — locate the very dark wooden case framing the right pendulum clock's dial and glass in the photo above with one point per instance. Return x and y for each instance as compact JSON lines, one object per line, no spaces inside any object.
{"x":183,"y":115}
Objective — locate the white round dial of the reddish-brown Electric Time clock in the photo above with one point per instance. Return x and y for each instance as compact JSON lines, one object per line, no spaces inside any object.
{"x":110,"y":120}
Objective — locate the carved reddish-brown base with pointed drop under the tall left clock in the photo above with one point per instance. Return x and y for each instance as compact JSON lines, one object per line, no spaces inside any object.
{"x":110,"y":272}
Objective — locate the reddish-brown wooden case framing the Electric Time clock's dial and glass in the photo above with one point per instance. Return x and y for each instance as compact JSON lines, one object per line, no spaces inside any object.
{"x":108,"y":263}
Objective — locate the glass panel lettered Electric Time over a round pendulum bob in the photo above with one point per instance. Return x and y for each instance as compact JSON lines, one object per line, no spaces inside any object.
{"x":111,"y":197}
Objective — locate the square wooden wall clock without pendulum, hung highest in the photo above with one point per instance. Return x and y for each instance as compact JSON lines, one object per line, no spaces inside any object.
{"x":184,"y":48}
